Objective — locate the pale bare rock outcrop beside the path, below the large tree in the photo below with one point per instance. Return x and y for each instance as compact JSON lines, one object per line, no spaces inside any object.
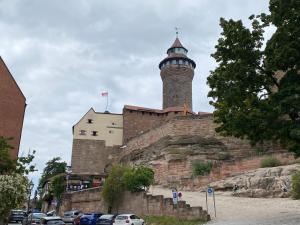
{"x":263,"y":182}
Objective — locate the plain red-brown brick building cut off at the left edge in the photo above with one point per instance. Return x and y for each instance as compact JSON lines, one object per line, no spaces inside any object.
{"x":12,"y":108}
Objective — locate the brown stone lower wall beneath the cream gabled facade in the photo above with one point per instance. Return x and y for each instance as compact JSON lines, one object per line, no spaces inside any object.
{"x":91,"y":156}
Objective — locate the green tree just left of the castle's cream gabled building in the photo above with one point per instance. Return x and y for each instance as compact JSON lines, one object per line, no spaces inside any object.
{"x":53,"y":167}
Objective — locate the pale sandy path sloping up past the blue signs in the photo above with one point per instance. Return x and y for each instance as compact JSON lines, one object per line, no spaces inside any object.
{"x":242,"y":211}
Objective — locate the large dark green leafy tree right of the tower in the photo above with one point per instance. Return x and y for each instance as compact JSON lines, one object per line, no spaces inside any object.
{"x":250,"y":100}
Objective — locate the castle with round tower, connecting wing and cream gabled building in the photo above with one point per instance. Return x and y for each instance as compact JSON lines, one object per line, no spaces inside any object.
{"x":98,"y":136}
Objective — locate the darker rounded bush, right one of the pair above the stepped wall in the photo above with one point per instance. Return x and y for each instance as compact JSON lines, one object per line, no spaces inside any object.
{"x":138,"y":179}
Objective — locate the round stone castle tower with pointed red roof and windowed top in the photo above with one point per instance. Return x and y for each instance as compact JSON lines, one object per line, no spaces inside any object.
{"x":177,"y":72}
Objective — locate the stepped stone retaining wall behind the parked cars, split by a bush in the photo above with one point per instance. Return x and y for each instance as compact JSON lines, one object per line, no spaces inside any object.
{"x":139,"y":203}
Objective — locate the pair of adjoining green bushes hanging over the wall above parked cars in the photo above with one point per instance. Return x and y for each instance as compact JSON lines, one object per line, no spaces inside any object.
{"x":122,"y":178}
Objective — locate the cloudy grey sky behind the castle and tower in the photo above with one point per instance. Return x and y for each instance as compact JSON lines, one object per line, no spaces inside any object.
{"x":63,"y":54}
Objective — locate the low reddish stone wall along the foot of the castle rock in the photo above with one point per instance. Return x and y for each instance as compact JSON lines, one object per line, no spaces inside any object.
{"x":178,"y":173}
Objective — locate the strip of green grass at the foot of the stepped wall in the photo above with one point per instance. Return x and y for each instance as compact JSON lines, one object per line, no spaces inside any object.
{"x":167,"y":220}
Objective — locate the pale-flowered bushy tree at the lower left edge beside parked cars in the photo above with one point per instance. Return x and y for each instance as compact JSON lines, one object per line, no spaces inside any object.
{"x":12,"y":194}
